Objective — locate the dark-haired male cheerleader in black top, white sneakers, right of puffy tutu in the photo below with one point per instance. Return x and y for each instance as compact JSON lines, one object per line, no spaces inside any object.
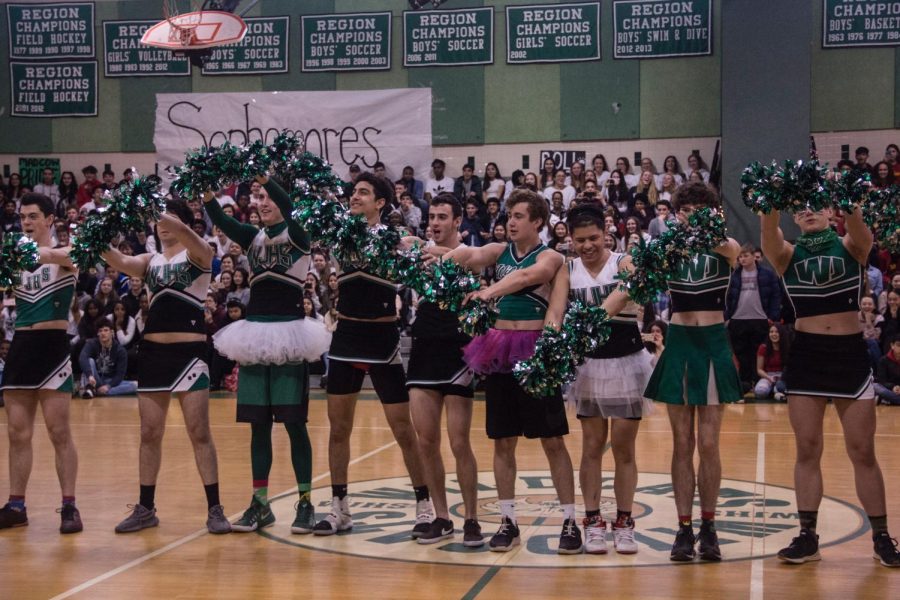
{"x":367,"y":340}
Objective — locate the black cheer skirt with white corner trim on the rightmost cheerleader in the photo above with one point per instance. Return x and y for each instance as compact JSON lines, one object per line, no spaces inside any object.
{"x":830,"y":366}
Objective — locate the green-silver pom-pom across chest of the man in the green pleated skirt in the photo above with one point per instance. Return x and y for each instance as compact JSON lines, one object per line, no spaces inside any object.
{"x":654,"y":264}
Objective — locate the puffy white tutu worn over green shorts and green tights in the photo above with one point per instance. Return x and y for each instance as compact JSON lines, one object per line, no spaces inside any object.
{"x":273,"y":343}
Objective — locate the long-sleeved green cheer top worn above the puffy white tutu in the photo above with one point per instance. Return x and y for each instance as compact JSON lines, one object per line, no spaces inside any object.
{"x":278,"y":257}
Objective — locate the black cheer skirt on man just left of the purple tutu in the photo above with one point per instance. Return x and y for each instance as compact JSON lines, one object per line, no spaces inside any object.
{"x":438,"y":365}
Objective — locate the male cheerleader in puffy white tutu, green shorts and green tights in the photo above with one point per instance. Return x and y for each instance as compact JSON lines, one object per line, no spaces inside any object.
{"x":272,"y":346}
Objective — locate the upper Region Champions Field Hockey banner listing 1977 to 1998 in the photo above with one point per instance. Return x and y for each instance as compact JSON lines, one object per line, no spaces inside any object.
{"x":50,"y":31}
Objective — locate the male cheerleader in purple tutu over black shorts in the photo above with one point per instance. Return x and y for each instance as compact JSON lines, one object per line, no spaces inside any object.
{"x":525,"y":270}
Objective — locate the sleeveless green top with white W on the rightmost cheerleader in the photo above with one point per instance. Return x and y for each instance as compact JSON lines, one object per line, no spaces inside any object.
{"x":824,"y":281}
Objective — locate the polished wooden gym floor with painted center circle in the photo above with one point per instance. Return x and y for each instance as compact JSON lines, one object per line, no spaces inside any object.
{"x":180,"y":560}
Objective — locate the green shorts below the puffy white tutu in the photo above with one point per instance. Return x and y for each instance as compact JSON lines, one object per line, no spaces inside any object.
{"x":269,"y":393}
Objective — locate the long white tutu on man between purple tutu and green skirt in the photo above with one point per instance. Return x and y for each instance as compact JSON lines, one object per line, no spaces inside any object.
{"x":612,"y":387}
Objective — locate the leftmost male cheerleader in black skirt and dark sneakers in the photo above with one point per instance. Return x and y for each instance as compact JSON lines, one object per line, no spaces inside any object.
{"x":39,"y":369}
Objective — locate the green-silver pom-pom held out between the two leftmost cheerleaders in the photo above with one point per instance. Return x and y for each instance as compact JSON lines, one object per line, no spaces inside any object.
{"x":129,"y":207}
